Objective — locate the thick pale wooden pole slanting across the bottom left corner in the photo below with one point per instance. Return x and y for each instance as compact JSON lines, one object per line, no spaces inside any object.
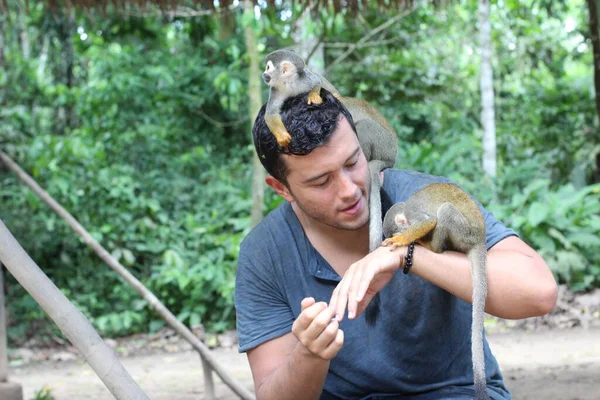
{"x":68,"y":318}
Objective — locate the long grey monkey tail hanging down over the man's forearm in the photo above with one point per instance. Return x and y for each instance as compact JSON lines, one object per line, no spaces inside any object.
{"x":477,"y":256}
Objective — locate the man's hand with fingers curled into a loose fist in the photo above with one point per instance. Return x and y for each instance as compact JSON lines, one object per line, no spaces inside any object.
{"x":317,"y":331}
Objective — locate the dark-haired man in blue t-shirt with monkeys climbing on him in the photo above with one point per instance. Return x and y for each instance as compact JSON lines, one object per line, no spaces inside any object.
{"x":292,"y":325}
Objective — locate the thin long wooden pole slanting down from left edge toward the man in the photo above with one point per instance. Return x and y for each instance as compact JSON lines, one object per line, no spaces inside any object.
{"x":152,"y":300}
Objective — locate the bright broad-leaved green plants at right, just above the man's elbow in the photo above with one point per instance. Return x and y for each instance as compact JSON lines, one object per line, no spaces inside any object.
{"x":563,"y":224}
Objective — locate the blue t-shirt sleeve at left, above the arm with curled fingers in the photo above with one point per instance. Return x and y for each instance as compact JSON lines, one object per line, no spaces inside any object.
{"x":262,"y":311}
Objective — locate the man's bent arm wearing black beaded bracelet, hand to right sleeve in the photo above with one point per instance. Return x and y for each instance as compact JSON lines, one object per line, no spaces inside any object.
{"x":520,"y":284}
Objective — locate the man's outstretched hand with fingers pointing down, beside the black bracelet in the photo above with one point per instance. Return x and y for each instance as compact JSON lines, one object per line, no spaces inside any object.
{"x":364,"y":279}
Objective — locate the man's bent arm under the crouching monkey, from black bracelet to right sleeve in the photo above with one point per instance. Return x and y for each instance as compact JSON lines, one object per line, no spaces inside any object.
{"x":520,"y":285}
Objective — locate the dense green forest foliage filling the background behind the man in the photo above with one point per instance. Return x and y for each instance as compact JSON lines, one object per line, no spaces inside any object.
{"x":147,"y":143}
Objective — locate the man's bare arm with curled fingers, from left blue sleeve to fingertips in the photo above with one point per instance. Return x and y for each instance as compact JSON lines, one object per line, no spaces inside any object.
{"x":294,"y":366}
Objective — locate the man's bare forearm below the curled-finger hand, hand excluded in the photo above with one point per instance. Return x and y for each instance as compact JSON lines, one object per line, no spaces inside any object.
{"x":301,"y":377}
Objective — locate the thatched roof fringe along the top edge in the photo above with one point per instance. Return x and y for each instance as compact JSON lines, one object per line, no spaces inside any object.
{"x":209,"y":5}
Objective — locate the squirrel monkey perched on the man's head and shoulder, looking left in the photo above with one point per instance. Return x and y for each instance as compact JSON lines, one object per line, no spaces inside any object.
{"x":287,"y":76}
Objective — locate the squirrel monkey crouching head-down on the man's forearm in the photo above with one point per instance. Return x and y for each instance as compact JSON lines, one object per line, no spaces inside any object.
{"x":440,"y":216}
